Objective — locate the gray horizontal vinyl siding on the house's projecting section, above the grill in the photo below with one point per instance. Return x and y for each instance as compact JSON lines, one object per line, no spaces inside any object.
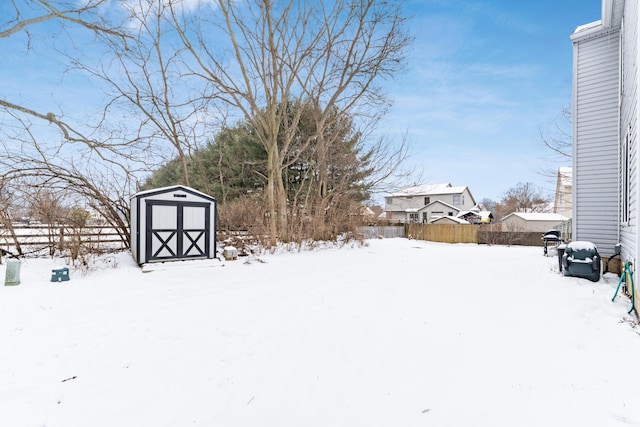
{"x":595,"y":148}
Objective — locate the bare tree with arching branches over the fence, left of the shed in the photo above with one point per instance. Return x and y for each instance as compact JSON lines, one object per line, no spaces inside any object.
{"x":42,"y":172}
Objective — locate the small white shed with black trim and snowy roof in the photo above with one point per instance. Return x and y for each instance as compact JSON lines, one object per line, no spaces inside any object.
{"x":172,"y":223}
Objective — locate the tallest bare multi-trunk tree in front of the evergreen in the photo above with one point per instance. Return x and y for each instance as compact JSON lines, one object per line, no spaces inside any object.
{"x":261,"y":54}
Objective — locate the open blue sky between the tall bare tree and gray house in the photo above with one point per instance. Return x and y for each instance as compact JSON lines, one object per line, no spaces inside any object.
{"x":483,"y":78}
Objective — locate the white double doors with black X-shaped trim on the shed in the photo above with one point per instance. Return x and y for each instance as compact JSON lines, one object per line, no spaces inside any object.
{"x":177,"y":230}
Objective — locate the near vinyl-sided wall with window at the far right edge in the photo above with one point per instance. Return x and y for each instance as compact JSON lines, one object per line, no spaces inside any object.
{"x":629,"y":125}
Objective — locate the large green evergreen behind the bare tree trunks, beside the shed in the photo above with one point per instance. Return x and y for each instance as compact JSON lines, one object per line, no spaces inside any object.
{"x":323,"y":190}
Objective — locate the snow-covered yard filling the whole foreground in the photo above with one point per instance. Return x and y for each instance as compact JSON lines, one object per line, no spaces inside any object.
{"x":397,"y":333}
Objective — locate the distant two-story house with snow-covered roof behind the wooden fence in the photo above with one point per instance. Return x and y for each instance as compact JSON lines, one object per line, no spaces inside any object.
{"x":426,"y":203}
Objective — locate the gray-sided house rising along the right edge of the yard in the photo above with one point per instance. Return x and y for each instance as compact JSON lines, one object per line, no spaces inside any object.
{"x":605,"y":130}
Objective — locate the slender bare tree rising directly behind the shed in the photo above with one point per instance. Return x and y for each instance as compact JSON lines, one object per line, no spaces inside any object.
{"x":149,"y":81}
